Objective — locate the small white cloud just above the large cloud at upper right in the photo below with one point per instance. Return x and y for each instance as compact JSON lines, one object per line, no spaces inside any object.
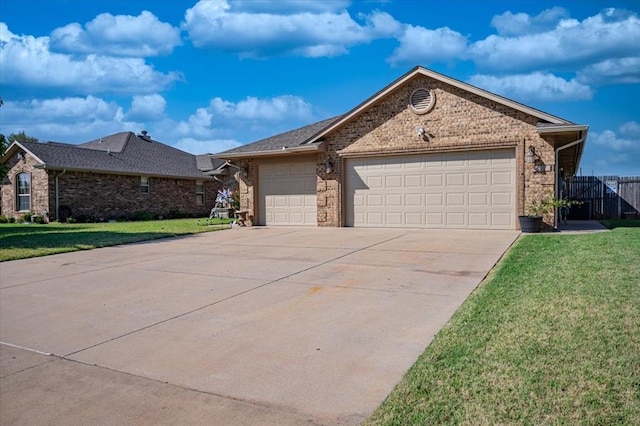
{"x":509,"y":24}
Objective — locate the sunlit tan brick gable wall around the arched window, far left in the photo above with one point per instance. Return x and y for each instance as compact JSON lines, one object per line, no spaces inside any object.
{"x":39,"y":189}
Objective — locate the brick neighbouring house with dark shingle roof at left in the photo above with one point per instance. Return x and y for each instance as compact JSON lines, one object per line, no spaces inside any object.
{"x":113,"y":177}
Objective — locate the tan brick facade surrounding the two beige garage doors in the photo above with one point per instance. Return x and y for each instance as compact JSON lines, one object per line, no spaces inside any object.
{"x":460,"y":120}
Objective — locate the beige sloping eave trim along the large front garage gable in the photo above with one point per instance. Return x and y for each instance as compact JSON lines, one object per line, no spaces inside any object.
{"x":443,"y":78}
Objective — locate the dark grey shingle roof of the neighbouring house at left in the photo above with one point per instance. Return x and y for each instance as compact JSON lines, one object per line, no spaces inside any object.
{"x":122,"y":153}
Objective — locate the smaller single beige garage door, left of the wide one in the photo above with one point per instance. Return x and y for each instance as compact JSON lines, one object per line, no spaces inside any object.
{"x":287,"y":194}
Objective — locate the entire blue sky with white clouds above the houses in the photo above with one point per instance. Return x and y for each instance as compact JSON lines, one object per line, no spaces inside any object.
{"x":211,"y":75}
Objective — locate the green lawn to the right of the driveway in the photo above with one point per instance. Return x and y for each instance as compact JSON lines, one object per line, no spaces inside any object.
{"x":551,"y":337}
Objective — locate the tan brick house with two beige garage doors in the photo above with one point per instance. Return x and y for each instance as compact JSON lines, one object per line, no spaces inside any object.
{"x":426,"y":151}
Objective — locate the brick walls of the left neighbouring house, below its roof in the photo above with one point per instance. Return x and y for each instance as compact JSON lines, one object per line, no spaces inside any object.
{"x":104,"y":196}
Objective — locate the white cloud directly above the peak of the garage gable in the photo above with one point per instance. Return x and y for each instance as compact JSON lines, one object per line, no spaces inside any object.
{"x":422,"y":45}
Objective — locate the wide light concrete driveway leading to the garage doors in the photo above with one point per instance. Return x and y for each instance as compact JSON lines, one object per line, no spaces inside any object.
{"x":249,"y":326}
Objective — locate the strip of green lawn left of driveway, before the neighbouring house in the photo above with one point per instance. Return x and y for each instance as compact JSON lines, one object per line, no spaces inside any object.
{"x":20,"y":241}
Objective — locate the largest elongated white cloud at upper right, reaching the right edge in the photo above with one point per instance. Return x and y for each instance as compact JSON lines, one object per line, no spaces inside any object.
{"x":610,"y":34}
